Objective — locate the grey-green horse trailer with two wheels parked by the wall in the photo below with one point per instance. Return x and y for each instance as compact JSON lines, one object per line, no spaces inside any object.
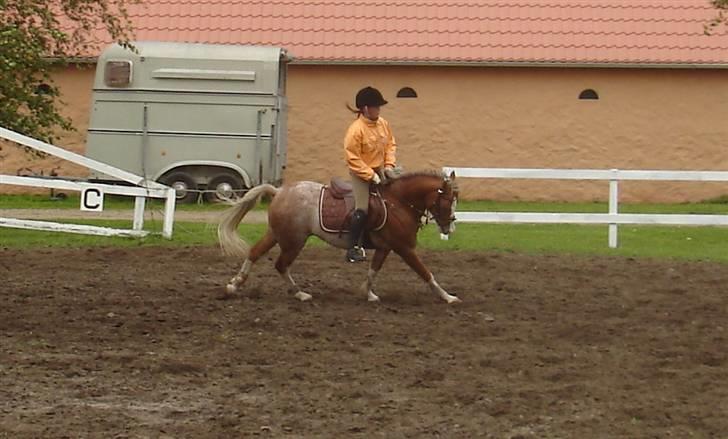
{"x":201,"y":118}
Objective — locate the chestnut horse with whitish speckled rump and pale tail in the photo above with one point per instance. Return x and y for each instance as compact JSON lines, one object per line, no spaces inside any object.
{"x":294,"y":216}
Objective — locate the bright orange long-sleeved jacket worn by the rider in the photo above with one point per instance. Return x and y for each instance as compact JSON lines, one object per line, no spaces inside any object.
{"x":369,"y":145}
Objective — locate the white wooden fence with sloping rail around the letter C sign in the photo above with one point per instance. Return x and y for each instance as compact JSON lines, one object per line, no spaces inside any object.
{"x":141,"y":191}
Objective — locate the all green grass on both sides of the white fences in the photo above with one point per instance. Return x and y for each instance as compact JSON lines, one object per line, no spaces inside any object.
{"x":687,"y":243}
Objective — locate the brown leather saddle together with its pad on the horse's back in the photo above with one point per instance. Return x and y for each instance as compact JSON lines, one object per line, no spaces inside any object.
{"x":336,"y":204}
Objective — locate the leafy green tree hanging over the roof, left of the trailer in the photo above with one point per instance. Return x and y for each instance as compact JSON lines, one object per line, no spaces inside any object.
{"x":37,"y":36}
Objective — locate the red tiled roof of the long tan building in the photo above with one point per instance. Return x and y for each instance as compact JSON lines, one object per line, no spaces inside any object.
{"x":448,"y":31}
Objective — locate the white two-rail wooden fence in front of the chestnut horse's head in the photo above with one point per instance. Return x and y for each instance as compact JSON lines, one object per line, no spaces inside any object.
{"x":613,"y":218}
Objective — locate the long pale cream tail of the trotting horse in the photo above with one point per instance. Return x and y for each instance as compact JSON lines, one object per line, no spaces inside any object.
{"x":227,"y":231}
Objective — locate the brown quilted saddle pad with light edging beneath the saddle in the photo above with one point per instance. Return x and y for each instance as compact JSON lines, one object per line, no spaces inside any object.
{"x":335,"y":213}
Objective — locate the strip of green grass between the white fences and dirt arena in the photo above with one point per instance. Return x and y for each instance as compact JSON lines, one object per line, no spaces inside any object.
{"x":684,"y":243}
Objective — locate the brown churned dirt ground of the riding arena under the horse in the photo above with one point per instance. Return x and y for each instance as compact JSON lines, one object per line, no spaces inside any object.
{"x":135,"y":343}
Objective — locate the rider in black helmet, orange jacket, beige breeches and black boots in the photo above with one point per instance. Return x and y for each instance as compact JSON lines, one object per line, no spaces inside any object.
{"x":370,"y":154}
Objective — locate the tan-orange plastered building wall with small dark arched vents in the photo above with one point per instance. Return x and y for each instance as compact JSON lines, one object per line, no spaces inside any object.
{"x":501,"y":117}
